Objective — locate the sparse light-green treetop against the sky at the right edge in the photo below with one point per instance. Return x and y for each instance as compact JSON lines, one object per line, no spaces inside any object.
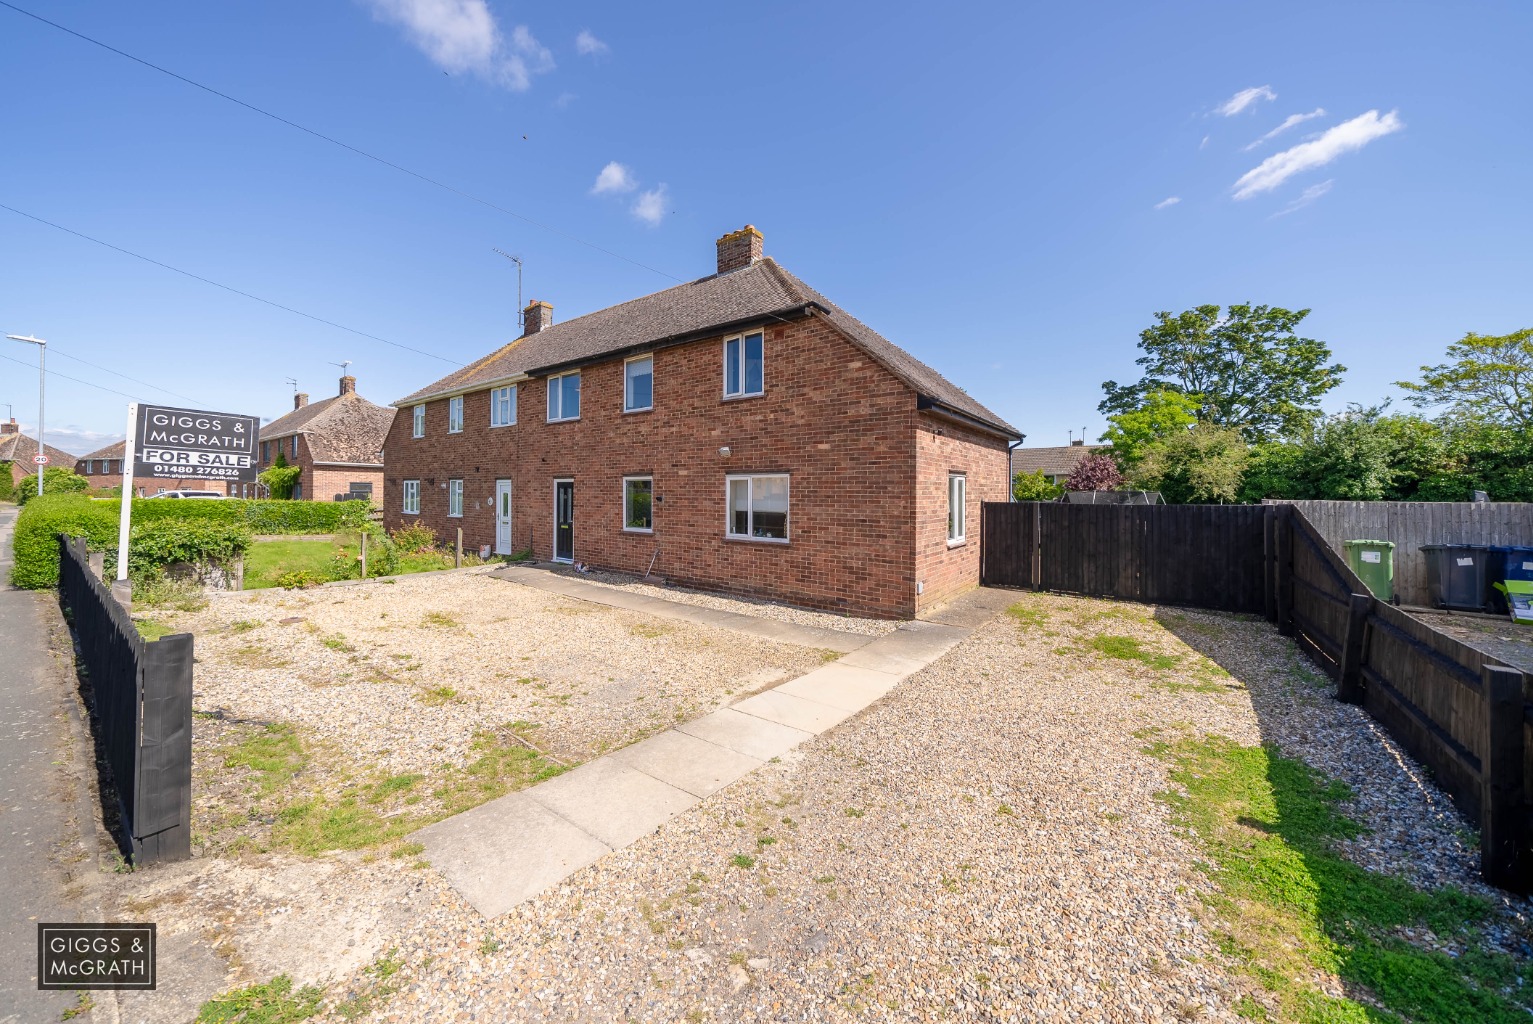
{"x":1489,"y":378}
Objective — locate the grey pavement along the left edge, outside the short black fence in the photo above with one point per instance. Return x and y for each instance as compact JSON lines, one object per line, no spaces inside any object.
{"x":45,"y":859}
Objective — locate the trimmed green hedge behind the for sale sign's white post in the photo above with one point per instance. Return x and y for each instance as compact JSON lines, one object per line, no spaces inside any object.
{"x":211,"y":527}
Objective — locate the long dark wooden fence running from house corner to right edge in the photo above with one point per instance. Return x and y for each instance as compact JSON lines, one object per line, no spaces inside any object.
{"x":1457,"y":711}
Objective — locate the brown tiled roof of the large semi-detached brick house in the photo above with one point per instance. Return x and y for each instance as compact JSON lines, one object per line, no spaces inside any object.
{"x":752,"y":294}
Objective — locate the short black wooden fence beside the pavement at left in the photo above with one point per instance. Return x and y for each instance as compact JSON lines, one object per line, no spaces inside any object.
{"x":142,"y":711}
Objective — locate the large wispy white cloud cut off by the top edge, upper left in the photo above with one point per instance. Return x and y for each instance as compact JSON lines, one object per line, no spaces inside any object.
{"x":462,"y":36}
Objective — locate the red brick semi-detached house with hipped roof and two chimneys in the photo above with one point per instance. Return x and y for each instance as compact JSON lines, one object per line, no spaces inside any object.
{"x":738,"y":433}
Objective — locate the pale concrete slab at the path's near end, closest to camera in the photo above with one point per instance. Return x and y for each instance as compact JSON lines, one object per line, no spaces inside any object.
{"x":508,"y":852}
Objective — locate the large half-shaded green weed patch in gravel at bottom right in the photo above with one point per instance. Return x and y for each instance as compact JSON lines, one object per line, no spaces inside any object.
{"x":1293,"y":908}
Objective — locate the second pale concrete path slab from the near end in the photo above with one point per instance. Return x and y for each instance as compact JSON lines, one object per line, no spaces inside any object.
{"x":611,"y":801}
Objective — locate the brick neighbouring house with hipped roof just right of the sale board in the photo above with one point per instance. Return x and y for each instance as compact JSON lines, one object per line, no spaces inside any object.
{"x":338,"y":442}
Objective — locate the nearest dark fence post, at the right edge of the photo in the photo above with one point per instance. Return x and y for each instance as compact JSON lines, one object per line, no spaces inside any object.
{"x":1502,"y":827}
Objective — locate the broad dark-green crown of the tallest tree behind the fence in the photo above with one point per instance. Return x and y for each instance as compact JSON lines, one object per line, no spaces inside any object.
{"x":1246,"y":367}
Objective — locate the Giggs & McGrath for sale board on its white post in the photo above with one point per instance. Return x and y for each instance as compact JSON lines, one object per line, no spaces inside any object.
{"x":169,"y":444}
